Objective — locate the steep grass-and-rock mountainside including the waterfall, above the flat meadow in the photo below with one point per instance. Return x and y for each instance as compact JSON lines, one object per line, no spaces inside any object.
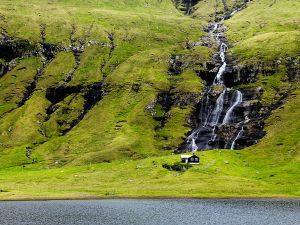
{"x":88,"y":82}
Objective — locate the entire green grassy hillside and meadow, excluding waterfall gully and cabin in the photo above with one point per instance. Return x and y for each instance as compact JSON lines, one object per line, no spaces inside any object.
{"x":91,"y":105}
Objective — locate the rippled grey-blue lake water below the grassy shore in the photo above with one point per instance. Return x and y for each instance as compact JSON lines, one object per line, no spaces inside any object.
{"x":156,"y":212}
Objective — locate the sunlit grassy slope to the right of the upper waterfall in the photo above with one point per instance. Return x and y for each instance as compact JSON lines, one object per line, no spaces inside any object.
{"x":267,"y":33}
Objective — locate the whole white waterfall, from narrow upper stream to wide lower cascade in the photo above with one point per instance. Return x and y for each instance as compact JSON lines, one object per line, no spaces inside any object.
{"x":220,"y":112}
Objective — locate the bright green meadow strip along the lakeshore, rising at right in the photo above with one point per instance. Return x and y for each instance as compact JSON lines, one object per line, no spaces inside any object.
{"x":269,"y":169}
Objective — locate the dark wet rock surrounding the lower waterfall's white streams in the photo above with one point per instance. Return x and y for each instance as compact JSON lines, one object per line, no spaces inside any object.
{"x":251,"y":113}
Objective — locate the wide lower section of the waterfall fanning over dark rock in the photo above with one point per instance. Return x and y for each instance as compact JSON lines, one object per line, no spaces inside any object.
{"x":225,"y":111}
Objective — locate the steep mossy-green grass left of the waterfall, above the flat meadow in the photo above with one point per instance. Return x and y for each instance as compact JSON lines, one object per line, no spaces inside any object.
{"x":146,"y":34}
